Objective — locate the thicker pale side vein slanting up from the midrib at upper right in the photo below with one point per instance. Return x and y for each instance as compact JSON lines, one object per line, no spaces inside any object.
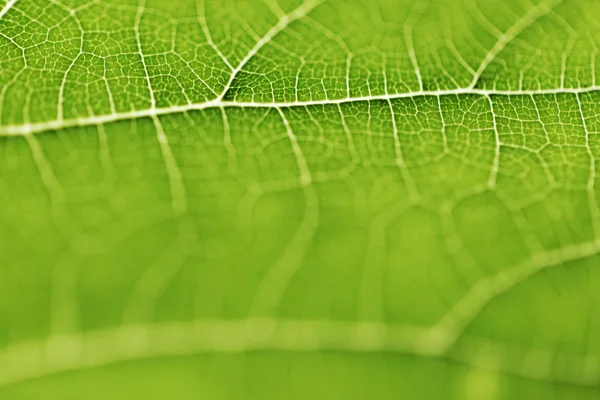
{"x":507,"y":37}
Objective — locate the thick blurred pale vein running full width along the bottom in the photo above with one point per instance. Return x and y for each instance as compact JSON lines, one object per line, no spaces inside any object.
{"x":29,"y":360}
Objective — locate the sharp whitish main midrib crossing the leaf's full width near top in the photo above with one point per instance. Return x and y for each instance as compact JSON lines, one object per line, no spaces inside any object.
{"x":37,"y":127}
